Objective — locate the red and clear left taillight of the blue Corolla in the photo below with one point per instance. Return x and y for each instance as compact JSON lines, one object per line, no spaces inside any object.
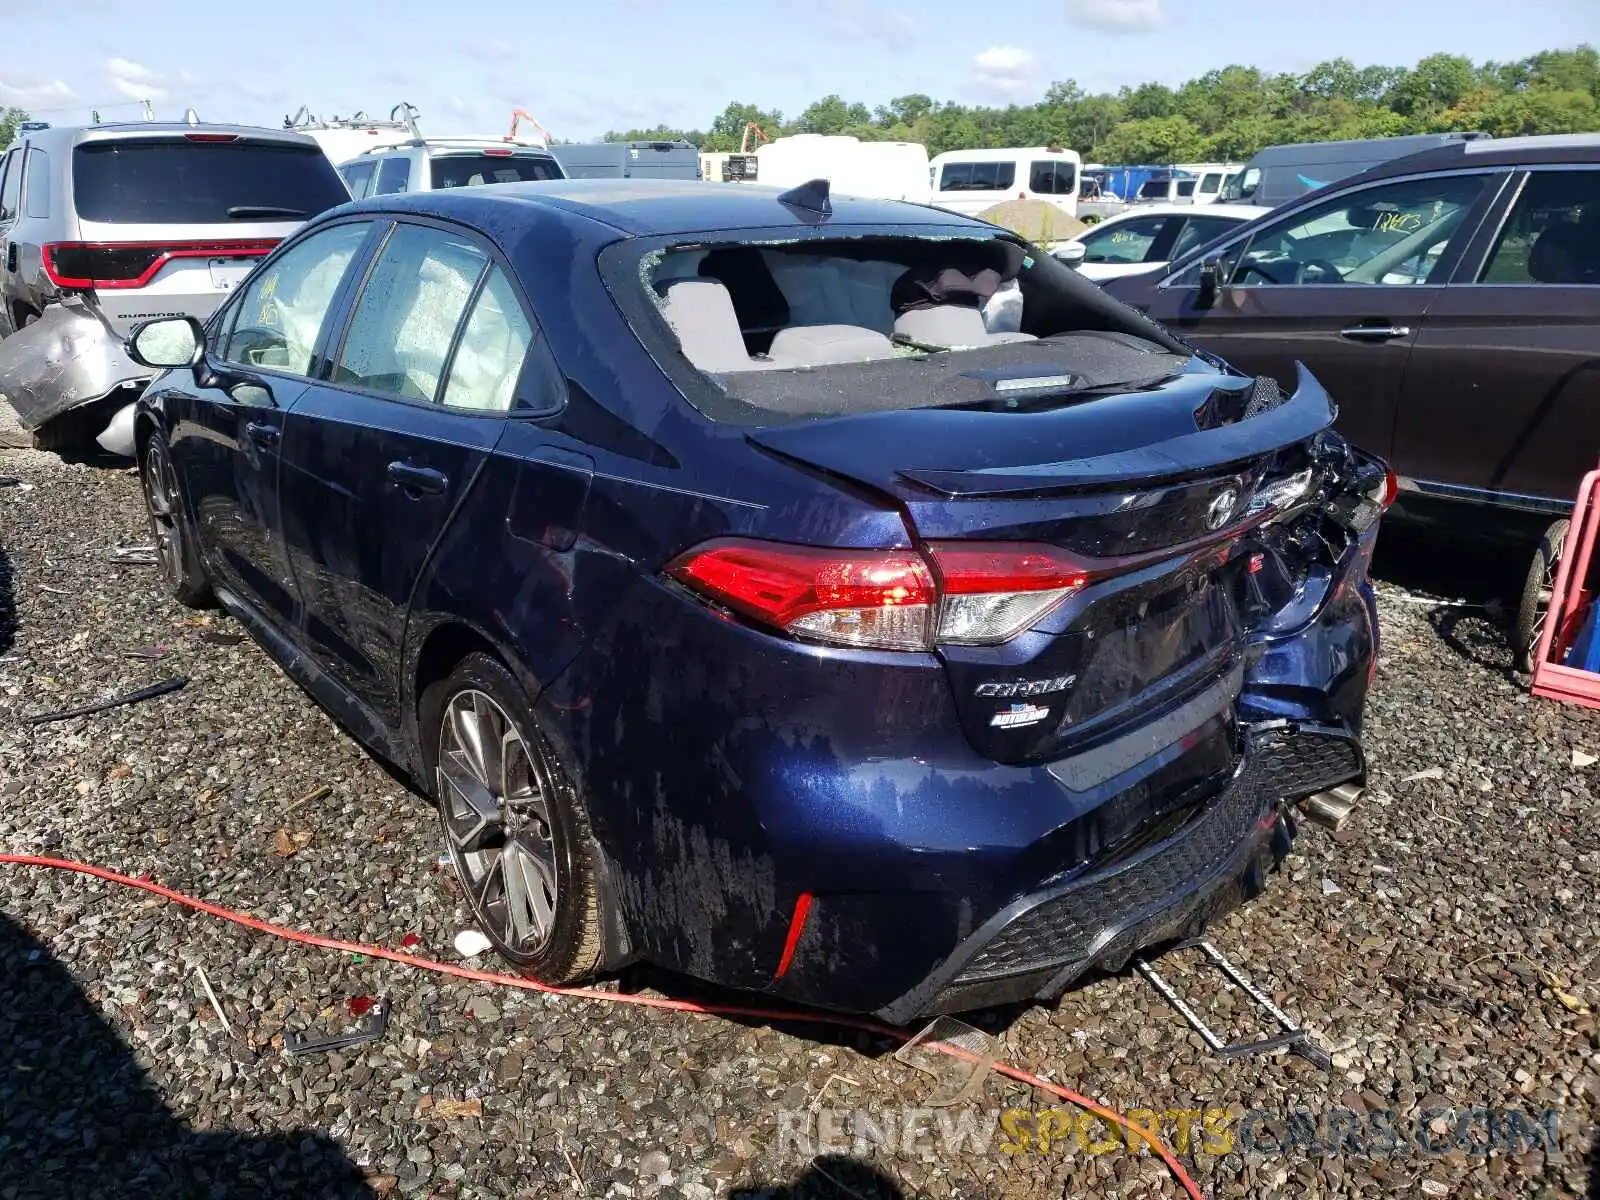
{"x":970,"y":594}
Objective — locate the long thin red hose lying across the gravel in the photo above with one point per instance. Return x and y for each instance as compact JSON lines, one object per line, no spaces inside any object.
{"x":793,"y":1015}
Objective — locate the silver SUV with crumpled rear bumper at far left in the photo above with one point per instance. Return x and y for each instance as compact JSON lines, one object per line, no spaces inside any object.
{"x":108,"y":226}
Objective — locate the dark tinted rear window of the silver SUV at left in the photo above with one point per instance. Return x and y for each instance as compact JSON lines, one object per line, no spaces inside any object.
{"x":175,"y":182}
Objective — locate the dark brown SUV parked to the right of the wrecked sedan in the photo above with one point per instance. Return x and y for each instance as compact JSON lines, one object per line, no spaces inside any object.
{"x":1450,"y":302}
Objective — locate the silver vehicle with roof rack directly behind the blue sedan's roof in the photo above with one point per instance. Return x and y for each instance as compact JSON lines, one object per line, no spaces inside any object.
{"x":428,"y":164}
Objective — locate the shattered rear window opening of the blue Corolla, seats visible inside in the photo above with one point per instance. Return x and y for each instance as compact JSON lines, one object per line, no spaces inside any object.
{"x":855,"y":324}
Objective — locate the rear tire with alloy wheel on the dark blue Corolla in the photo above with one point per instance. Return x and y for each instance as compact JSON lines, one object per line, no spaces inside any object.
{"x":548,"y":815}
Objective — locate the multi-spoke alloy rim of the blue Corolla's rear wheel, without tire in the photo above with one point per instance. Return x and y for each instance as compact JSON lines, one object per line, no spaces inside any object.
{"x":495,"y":802}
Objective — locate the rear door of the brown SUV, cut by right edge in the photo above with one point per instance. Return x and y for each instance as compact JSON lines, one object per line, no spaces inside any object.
{"x":1503,"y":398}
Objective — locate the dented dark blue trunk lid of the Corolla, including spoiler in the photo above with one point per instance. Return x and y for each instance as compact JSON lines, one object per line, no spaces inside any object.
{"x":1159,"y":492}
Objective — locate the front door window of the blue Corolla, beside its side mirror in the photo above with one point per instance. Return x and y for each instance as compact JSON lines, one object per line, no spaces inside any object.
{"x":279,"y":314}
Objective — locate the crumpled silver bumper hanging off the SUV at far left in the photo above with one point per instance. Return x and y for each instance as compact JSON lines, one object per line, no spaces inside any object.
{"x":66,"y":359}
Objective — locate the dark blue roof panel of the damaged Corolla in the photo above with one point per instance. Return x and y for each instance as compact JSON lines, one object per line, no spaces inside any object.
{"x":652,"y":207}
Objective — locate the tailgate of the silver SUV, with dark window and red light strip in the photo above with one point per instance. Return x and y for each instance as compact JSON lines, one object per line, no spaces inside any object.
{"x":172,"y":223}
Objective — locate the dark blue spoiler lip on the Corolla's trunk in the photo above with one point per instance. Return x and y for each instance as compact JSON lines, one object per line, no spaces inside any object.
{"x":1298,"y":418}
